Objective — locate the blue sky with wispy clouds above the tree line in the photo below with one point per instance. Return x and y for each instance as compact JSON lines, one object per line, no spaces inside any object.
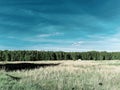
{"x":65,"y":25}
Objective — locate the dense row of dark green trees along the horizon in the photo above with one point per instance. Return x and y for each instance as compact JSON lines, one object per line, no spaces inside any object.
{"x":26,"y":55}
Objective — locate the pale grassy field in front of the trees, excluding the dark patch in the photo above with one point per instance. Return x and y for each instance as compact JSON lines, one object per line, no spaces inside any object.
{"x":66,"y":75}
